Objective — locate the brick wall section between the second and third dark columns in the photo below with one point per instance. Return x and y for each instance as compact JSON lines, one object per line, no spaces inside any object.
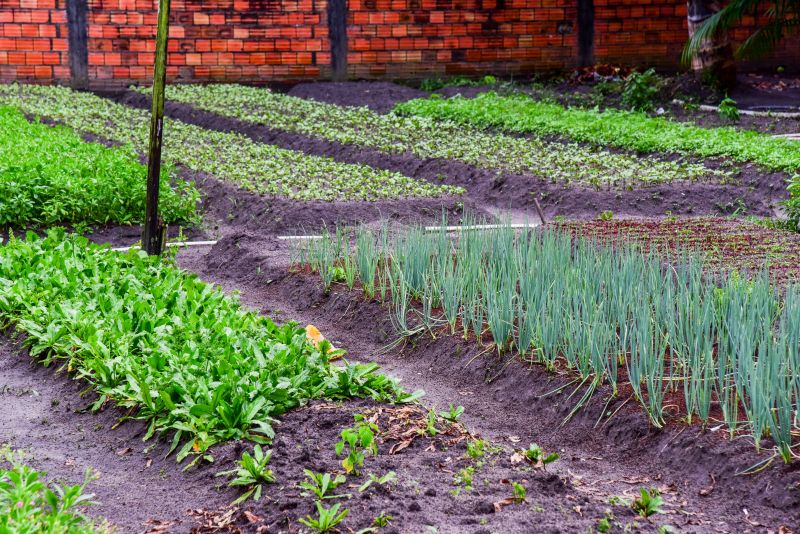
{"x":435,"y":37}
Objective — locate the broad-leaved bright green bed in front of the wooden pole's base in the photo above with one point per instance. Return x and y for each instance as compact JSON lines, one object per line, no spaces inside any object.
{"x":179,"y":353}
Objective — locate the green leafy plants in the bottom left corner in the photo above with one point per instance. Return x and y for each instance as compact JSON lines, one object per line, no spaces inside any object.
{"x":29,"y":504}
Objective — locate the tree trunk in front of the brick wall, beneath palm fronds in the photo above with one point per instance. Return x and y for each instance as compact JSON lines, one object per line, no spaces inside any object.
{"x":714,"y":61}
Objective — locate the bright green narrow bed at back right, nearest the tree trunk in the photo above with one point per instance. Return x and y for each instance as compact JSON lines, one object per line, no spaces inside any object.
{"x":623,"y":129}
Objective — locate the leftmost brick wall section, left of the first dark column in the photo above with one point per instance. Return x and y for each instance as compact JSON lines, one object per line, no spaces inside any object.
{"x":33,"y":40}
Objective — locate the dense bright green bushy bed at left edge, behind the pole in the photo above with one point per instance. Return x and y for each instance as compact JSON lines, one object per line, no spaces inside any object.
{"x":50,"y":175}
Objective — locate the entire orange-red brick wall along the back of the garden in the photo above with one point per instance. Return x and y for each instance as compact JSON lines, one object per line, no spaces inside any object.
{"x":261,"y":40}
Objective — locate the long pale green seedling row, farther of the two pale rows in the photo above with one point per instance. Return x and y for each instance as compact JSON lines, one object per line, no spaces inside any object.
{"x":428,"y":138}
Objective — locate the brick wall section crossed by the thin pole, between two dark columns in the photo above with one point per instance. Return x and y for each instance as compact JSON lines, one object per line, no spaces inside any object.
{"x":210,"y":39}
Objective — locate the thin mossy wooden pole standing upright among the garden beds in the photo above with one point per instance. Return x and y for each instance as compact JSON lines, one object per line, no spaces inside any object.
{"x":153,"y":235}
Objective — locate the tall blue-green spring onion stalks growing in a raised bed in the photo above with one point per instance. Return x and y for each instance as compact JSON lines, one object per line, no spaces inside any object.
{"x":615,"y":315}
